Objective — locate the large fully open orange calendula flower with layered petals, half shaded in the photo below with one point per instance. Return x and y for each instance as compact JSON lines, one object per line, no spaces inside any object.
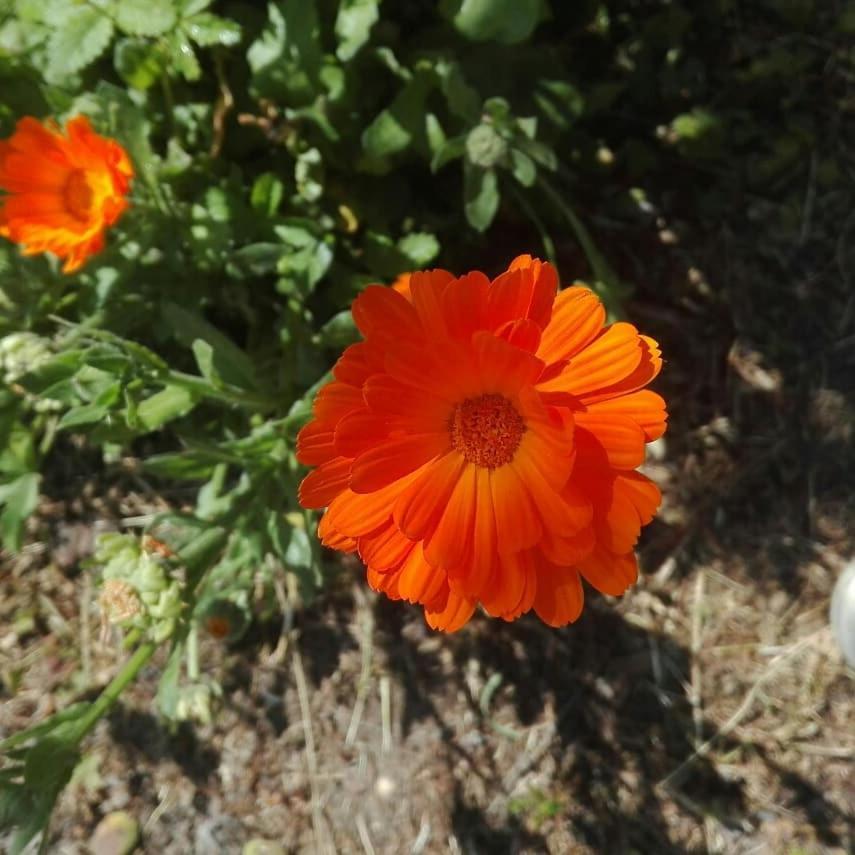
{"x":480,"y":445}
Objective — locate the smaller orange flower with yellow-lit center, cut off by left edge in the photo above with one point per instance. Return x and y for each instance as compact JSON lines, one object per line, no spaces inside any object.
{"x":63,"y":190}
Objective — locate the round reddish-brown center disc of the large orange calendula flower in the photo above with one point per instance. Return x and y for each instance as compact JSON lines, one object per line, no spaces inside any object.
{"x":487,"y":430}
